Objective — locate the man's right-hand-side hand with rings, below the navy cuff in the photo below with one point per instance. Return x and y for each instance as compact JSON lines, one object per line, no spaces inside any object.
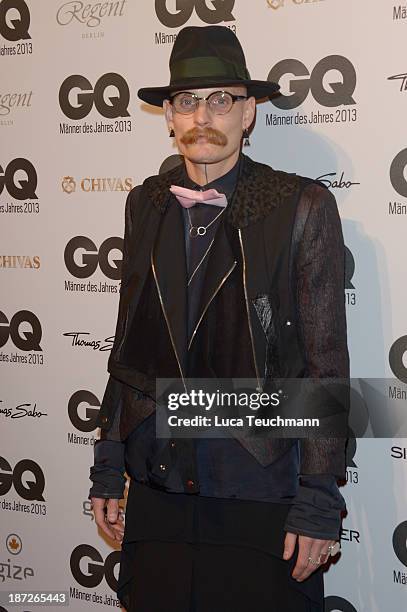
{"x":307,"y":547}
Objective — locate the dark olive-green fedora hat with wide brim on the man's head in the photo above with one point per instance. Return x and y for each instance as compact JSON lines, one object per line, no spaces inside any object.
{"x":206,"y":57}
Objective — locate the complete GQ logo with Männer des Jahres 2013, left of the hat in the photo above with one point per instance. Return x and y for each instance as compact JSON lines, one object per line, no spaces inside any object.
{"x":109,"y":96}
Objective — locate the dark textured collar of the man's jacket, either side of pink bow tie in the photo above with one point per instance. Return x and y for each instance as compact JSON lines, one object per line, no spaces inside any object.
{"x":259,"y":189}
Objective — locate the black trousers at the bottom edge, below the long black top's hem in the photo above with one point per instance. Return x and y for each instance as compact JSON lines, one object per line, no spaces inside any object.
{"x":186,"y":577}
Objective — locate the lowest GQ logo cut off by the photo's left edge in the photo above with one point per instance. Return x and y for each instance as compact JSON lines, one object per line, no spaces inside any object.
{"x":31,"y":490}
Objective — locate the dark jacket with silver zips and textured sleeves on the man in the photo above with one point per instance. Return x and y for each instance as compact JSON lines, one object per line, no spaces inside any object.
{"x":283,"y":233}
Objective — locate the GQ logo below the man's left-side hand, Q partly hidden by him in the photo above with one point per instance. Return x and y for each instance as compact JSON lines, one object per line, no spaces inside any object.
{"x":95,"y":571}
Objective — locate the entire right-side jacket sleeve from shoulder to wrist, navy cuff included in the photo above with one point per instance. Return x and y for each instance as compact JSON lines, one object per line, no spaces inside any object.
{"x":320,"y":295}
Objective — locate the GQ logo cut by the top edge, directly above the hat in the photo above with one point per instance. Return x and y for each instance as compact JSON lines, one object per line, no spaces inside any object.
{"x":221,"y":11}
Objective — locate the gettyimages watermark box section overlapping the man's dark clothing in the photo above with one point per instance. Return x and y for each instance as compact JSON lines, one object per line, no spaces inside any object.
{"x":196,"y":408}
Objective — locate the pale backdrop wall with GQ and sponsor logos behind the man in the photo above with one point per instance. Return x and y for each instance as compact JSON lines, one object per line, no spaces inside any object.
{"x":62,"y":194}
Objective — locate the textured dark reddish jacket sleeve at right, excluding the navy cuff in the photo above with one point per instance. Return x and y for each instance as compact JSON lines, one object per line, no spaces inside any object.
{"x":321,"y":311}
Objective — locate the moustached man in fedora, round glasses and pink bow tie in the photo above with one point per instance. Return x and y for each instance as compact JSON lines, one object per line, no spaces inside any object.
{"x":230,"y":270}
